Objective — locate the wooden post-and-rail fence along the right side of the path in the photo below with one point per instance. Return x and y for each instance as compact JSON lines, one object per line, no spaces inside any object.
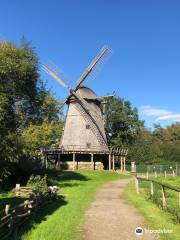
{"x":163,"y":188}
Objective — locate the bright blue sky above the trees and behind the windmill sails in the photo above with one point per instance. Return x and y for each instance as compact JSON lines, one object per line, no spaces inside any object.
{"x":144,"y":37}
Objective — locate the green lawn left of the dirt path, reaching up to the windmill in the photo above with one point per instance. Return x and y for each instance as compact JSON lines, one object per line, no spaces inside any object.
{"x":63,"y":218}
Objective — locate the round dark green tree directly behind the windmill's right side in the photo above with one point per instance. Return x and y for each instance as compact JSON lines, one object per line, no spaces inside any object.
{"x":122,"y":122}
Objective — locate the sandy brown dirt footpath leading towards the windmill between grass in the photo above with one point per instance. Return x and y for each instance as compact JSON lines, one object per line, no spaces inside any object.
{"x":111,"y":217}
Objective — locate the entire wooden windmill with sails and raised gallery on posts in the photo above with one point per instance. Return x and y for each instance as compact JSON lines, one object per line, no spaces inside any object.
{"x":83,"y":144}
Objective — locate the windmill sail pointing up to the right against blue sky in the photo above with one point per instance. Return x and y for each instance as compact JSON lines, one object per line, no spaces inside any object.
{"x":95,"y":64}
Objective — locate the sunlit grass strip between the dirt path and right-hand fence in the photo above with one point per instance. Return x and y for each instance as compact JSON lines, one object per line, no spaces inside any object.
{"x":155,"y":216}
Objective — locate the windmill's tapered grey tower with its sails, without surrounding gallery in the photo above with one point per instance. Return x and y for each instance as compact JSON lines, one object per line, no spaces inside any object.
{"x":84,"y":131}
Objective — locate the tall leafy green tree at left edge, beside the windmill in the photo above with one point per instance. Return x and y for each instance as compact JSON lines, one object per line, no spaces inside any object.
{"x":24,"y":102}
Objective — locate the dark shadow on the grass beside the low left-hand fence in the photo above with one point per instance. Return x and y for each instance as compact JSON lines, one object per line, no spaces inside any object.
{"x":40,"y":215}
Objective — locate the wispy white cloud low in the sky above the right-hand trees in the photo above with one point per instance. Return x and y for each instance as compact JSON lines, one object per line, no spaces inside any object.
{"x":159,"y":114}
